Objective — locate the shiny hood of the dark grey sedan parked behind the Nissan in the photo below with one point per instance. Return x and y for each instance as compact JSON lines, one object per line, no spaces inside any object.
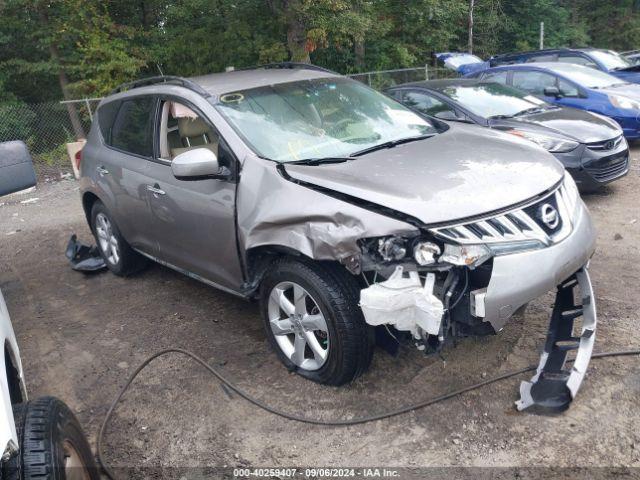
{"x":579,"y":125}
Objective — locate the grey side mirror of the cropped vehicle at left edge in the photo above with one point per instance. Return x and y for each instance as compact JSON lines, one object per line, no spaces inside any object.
{"x":16,"y":168}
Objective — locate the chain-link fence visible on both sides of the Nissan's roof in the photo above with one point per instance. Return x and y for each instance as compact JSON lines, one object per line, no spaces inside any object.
{"x":47,"y":127}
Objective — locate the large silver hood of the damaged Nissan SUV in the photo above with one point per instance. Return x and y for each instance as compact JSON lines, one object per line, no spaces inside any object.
{"x":463,"y":172}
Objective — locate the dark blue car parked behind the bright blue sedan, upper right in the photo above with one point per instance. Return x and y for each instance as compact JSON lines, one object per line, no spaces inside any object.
{"x":606,"y":61}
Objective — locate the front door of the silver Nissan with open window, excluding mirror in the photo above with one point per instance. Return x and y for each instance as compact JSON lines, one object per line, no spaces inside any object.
{"x":193,"y":220}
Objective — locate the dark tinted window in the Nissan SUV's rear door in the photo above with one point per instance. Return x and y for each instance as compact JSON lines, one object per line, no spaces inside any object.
{"x":132,"y":129}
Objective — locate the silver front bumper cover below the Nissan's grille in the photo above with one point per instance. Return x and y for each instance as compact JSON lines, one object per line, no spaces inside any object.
{"x":519,"y":278}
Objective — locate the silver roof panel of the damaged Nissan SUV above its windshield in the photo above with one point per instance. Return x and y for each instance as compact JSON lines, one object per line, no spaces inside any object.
{"x":221,"y":83}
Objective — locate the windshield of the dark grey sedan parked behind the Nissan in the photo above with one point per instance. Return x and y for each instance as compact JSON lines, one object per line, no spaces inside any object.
{"x":492,"y":99}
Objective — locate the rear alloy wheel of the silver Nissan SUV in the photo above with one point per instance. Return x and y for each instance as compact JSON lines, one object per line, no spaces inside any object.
{"x":120,"y":258}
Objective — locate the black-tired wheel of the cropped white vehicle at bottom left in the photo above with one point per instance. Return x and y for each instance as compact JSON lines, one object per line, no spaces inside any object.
{"x":51,"y":443}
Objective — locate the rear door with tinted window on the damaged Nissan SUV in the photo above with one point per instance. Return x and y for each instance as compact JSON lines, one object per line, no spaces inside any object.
{"x":121,"y":168}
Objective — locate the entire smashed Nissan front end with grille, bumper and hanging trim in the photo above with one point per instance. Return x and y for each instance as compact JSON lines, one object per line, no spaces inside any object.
{"x":470,"y":277}
